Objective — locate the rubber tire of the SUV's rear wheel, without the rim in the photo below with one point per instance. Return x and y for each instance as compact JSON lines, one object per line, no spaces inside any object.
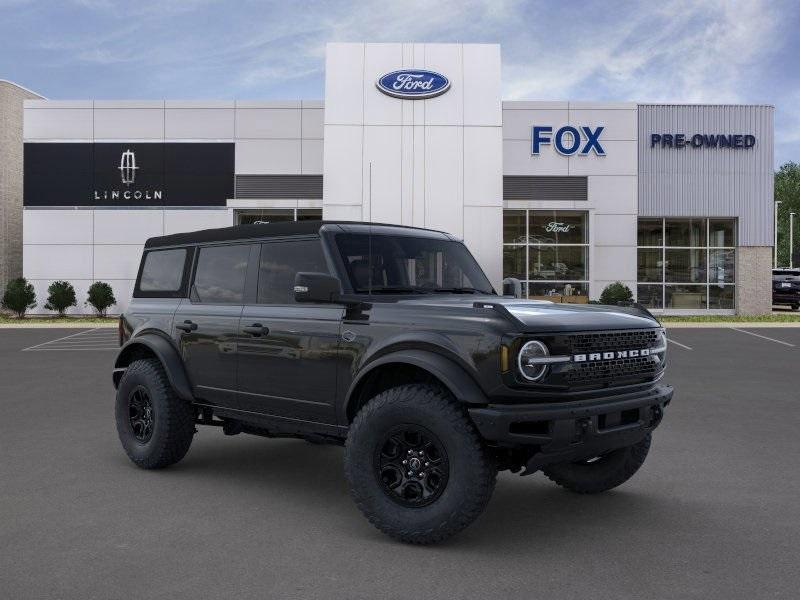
{"x":173,"y":418}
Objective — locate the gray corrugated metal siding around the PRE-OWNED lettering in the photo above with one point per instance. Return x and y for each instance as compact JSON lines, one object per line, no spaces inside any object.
{"x":709,"y":182}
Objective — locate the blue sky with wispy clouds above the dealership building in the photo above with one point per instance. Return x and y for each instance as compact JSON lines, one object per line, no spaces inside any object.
{"x":666,"y":50}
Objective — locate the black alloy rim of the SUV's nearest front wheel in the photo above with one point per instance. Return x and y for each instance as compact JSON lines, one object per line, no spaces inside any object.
{"x":411,"y":465}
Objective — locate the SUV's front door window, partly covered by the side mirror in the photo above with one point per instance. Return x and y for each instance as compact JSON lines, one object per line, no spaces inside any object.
{"x":280,"y":262}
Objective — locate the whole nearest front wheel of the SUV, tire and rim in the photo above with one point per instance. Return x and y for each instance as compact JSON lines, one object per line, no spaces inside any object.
{"x":417,"y":468}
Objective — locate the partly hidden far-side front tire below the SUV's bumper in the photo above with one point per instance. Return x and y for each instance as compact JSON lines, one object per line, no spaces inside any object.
{"x":607,"y":472}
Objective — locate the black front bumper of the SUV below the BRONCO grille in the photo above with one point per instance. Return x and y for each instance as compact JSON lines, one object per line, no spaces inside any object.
{"x":567,"y":431}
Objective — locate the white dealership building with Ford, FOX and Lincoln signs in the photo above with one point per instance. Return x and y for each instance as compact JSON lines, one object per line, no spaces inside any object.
{"x":673,"y":200}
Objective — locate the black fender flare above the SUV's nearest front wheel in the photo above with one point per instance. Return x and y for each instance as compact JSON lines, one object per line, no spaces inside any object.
{"x":453,"y":376}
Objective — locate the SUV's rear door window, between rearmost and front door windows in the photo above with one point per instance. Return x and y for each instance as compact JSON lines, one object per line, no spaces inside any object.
{"x":220,"y":274}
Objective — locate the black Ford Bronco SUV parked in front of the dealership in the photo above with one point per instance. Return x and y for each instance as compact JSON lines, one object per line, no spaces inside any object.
{"x":392,"y":342}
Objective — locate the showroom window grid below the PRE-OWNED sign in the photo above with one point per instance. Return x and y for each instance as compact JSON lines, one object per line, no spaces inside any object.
{"x":687,"y":264}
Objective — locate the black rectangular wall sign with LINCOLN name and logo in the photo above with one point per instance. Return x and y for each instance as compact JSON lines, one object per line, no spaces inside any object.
{"x":128,"y":174}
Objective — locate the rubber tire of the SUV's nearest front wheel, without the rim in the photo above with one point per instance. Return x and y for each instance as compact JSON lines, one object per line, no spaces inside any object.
{"x":471,"y":470}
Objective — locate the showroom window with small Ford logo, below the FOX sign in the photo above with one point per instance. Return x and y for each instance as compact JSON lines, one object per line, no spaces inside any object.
{"x":548,"y":250}
